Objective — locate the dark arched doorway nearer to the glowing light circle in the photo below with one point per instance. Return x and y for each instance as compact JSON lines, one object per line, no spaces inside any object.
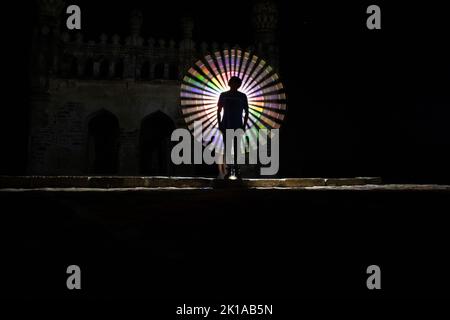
{"x":155,"y":144}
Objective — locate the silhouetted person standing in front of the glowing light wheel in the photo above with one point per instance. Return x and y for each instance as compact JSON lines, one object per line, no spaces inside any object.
{"x":233,"y":103}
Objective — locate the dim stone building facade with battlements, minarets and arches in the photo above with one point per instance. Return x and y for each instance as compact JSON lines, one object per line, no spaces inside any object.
{"x":109,"y":106}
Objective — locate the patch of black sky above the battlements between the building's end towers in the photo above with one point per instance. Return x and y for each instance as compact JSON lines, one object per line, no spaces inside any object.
{"x":214,"y":20}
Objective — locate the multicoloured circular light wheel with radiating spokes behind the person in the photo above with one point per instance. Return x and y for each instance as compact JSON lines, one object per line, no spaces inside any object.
{"x":208,"y":78}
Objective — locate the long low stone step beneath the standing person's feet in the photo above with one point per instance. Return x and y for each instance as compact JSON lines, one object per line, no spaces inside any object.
{"x":107,"y":182}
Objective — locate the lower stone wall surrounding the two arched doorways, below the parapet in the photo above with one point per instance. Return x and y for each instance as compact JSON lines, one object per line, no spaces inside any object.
{"x":59,"y":121}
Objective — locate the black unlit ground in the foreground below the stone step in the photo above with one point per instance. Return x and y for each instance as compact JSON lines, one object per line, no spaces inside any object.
{"x":227,"y":244}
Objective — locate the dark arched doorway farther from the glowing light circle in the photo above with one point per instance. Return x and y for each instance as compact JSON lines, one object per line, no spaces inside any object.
{"x":103,"y":143}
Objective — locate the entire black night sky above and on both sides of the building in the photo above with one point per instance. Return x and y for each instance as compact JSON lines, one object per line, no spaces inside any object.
{"x":360,"y":102}
